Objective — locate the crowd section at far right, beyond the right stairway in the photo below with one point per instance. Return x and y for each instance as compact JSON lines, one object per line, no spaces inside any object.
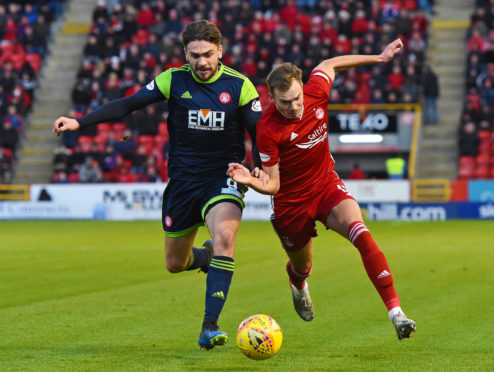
{"x":476,"y":129}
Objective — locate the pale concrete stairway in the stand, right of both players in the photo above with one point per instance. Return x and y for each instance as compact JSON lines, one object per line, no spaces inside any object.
{"x":446,"y":54}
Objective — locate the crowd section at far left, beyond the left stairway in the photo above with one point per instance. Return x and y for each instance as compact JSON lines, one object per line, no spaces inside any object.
{"x":24,"y":36}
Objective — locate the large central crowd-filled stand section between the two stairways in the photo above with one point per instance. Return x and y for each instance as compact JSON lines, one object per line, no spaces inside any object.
{"x":131,"y":42}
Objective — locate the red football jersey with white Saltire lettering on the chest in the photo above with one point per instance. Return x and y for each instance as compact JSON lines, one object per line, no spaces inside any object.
{"x":299,"y":146}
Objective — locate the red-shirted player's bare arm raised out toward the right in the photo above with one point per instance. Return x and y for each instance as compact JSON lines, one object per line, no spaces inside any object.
{"x":342,"y":63}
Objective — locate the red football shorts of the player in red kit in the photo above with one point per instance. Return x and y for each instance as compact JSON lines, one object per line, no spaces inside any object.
{"x":295,"y":223}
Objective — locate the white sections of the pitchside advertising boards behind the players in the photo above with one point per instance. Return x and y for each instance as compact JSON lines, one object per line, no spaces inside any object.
{"x":142,"y":201}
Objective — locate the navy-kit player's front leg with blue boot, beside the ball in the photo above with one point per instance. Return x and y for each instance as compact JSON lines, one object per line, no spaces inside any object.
{"x":222,"y":220}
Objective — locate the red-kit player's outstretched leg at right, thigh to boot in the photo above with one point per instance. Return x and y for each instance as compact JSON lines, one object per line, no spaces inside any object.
{"x":346,"y":219}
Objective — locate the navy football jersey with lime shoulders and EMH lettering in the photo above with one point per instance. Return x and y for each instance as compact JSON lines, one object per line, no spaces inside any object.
{"x":207,"y":120}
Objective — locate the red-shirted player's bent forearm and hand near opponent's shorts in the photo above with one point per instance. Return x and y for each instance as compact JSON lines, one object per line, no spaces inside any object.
{"x":241,"y":174}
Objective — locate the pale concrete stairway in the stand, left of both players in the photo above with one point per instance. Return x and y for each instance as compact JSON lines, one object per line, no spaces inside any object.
{"x":52,"y":98}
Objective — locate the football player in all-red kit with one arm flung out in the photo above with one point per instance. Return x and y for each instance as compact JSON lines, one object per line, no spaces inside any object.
{"x":292,"y":138}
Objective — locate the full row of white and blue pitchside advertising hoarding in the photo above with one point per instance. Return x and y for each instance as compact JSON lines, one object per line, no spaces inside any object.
{"x":380,"y":200}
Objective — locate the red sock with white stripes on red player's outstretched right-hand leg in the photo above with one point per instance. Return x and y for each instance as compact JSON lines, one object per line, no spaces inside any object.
{"x":375,"y":263}
